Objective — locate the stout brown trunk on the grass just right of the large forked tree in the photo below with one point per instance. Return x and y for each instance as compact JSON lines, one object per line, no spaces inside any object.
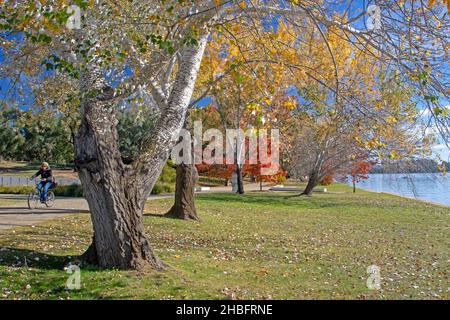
{"x":184,"y":206}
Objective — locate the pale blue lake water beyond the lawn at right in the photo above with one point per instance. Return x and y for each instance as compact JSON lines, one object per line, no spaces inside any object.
{"x":424,"y":186}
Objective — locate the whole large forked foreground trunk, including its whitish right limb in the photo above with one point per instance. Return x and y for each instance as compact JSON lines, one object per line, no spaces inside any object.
{"x":117,"y":193}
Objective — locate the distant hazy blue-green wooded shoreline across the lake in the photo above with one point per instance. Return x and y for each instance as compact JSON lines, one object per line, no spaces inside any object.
{"x":409,"y":166}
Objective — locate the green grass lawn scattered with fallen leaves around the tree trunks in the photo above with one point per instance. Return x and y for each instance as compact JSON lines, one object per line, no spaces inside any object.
{"x":255,"y":246}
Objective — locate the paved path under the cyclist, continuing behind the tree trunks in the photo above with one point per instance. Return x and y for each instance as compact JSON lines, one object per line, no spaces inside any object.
{"x":16,"y":213}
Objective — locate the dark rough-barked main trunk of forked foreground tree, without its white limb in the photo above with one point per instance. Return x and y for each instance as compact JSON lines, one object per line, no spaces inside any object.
{"x":116,"y":210}
